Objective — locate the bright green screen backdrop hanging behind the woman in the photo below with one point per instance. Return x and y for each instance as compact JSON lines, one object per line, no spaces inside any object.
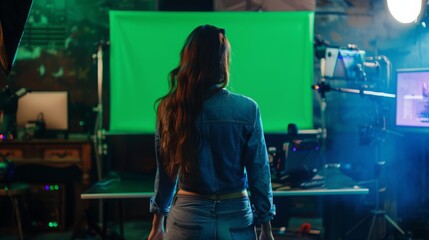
{"x":271,"y":62}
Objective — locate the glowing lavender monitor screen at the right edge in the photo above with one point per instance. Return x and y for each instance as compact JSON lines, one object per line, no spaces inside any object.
{"x":412,"y":99}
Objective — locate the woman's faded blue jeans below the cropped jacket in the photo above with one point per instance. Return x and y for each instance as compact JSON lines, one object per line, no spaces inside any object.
{"x":196,"y":218}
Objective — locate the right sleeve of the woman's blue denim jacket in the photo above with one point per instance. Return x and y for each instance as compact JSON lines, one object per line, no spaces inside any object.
{"x":258,"y":172}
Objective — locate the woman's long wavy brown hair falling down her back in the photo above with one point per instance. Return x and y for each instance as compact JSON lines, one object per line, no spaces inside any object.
{"x":203,"y":70}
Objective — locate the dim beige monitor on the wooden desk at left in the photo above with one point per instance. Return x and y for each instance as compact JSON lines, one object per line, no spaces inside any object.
{"x":52,"y":106}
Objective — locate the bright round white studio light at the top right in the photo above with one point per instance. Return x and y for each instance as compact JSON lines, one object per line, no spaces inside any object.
{"x":405,"y":11}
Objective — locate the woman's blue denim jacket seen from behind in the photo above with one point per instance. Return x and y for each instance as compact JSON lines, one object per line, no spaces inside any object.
{"x":232,"y":156}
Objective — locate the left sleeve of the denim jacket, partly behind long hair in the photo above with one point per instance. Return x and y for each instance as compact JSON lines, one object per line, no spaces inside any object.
{"x":164,"y":187}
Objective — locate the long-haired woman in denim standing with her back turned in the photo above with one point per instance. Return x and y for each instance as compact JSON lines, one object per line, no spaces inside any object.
{"x":210,"y":144}
